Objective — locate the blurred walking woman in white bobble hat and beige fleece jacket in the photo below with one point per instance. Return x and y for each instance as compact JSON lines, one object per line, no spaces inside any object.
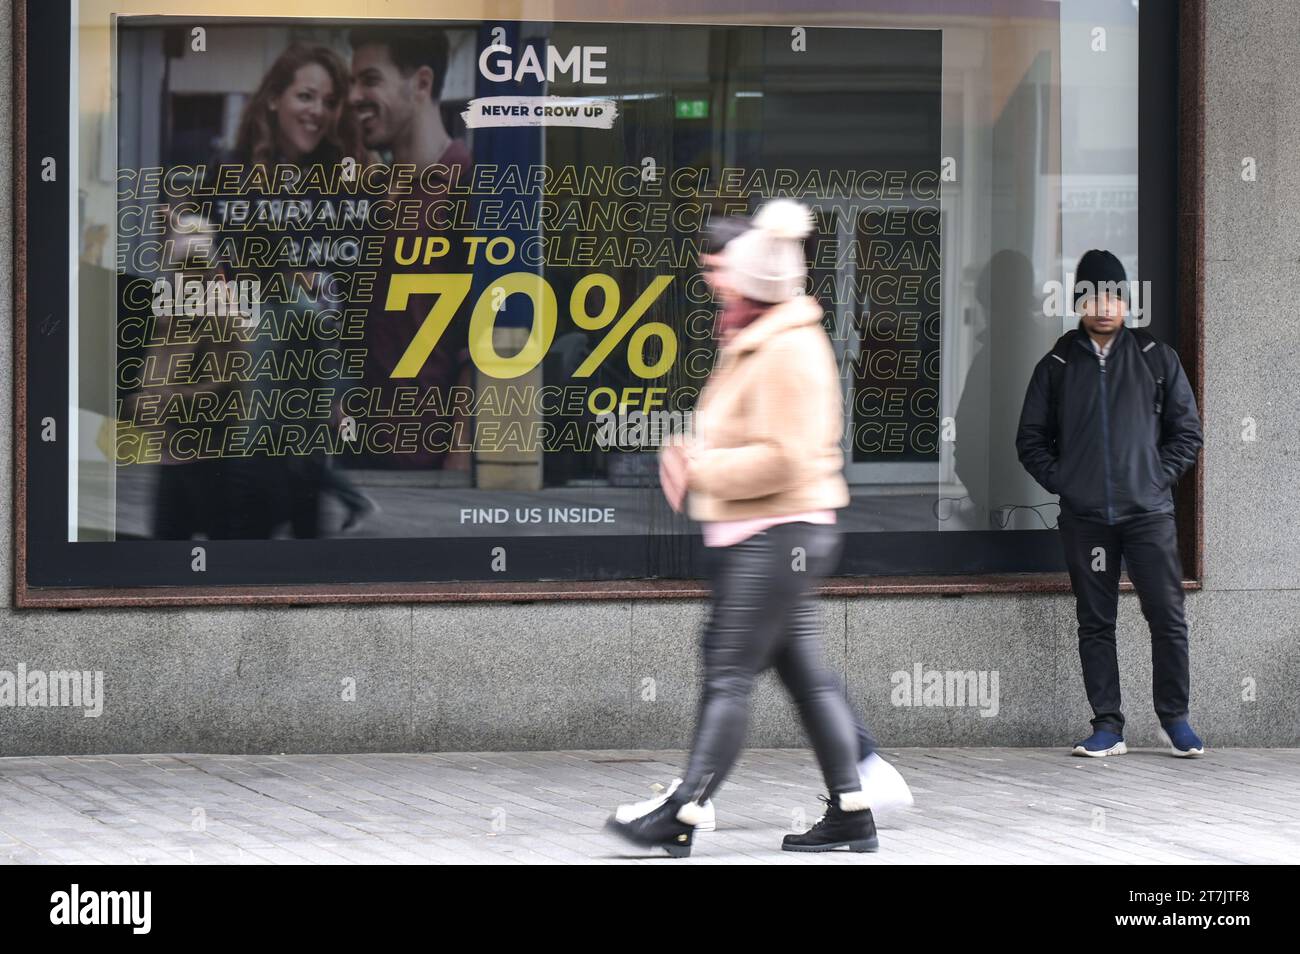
{"x":764,"y":475}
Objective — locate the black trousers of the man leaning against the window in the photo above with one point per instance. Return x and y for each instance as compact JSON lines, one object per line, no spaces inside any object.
{"x":1149,"y":547}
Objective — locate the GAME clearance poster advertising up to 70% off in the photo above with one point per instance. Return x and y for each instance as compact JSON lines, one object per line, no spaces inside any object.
{"x":441,"y":280}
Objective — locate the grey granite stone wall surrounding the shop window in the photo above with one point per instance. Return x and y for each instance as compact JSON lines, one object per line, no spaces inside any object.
{"x":621,"y":674}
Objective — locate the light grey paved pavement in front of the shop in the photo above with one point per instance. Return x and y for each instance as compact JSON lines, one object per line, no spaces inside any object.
{"x":1011,"y":806}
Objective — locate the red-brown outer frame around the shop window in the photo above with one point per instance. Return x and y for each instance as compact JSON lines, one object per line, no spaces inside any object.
{"x":1191,"y":255}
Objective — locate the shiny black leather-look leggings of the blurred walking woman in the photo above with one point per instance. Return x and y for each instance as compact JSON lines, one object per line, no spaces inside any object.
{"x":765,"y":614}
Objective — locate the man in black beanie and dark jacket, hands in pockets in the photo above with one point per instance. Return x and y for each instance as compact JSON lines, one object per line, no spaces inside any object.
{"x":1111,"y":424}
